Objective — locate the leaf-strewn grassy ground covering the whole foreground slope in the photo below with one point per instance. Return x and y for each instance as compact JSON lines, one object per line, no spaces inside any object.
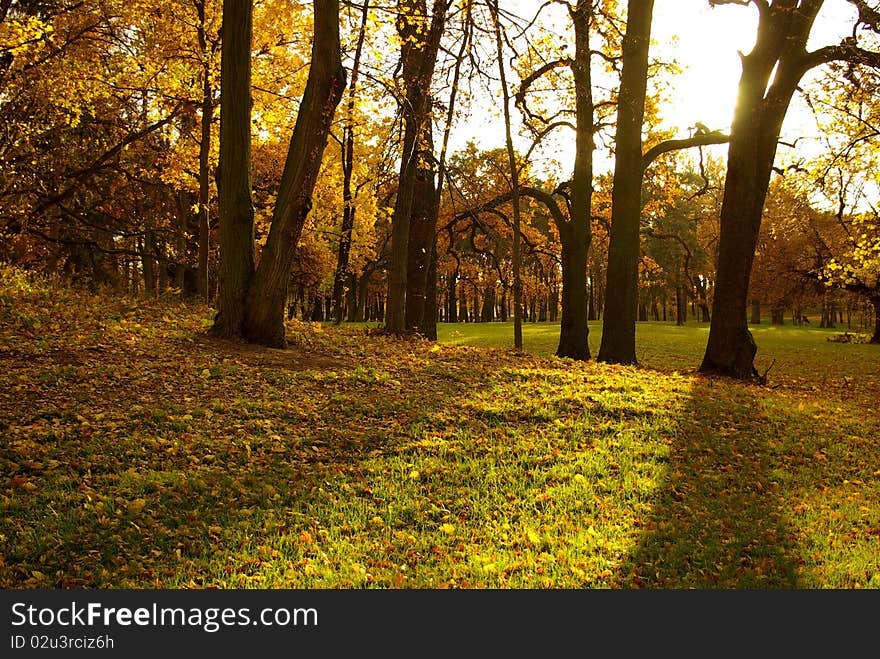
{"x":137,"y":452}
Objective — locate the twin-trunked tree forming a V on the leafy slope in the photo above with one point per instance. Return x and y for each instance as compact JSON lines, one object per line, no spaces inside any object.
{"x":252,"y":305}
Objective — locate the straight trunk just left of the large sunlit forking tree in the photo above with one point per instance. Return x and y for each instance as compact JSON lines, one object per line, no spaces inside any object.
{"x":619,"y":322}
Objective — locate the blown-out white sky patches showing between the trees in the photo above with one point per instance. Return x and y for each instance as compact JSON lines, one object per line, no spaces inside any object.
{"x":704,"y":41}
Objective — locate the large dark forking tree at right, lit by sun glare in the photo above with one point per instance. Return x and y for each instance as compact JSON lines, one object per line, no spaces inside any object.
{"x":771,"y":73}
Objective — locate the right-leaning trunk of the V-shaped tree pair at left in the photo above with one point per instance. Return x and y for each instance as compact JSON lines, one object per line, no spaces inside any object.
{"x":264,"y":312}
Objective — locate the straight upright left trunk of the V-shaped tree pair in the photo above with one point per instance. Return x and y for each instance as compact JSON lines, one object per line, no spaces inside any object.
{"x":234,"y":171}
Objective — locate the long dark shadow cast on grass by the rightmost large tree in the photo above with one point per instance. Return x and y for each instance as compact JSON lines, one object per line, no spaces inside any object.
{"x":719,"y":521}
